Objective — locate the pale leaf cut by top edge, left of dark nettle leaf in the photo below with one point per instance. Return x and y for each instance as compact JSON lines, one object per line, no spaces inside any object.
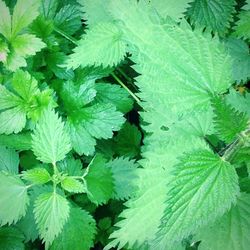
{"x":174,"y":9}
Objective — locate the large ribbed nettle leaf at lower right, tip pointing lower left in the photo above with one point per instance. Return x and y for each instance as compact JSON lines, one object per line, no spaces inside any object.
{"x":204,"y":188}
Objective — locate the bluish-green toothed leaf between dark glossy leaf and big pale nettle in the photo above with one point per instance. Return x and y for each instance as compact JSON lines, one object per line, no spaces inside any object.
{"x":125,"y":177}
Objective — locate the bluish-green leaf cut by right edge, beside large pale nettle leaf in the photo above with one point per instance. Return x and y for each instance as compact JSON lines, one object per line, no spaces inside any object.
{"x":239,"y":51}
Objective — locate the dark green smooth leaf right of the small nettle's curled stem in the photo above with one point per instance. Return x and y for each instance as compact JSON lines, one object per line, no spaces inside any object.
{"x":100,"y":183}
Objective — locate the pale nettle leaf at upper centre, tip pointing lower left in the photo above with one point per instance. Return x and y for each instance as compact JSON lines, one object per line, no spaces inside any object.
{"x":102,"y":45}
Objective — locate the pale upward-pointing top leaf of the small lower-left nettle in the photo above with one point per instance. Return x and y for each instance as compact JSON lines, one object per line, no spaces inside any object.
{"x":50,"y":141}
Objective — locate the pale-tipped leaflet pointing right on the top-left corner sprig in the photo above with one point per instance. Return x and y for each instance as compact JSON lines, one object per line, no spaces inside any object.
{"x":27,"y":45}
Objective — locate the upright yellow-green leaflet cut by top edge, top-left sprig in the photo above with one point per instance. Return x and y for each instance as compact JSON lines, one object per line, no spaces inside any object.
{"x":25,"y":11}
